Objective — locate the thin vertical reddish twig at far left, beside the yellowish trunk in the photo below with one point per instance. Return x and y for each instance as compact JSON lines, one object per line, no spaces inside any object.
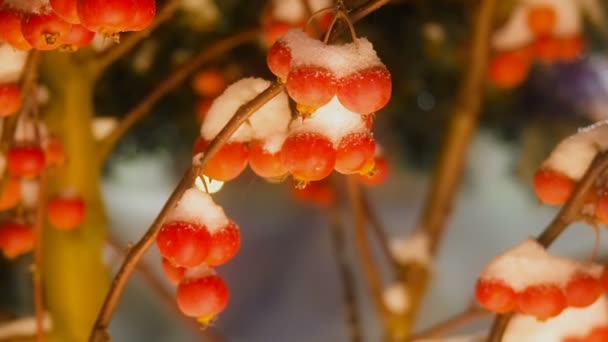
{"x":38,"y":256}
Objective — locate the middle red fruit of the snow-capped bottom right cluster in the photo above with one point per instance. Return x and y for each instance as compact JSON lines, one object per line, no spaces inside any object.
{"x":541,"y":301}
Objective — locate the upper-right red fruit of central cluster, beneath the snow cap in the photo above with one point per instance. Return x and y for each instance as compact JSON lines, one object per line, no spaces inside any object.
{"x":366,"y":91}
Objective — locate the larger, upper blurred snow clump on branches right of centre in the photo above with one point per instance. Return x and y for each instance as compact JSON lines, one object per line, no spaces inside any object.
{"x":414,"y":249}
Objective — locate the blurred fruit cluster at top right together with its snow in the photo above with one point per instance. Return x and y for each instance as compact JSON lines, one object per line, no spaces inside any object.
{"x":541,"y":30}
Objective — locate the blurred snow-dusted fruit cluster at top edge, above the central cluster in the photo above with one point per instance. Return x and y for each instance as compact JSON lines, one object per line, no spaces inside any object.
{"x":281,"y":16}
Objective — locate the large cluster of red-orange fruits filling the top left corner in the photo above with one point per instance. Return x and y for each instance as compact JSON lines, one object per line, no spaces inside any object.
{"x":69,"y":24}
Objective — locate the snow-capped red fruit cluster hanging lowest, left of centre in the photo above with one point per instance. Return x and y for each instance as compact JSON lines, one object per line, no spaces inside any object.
{"x":196,"y":236}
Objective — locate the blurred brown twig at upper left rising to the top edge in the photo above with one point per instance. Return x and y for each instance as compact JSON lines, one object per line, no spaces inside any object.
{"x":100,"y":62}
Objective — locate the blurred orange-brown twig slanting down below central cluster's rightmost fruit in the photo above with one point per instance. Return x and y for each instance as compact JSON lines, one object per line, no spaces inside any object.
{"x":370,"y":267}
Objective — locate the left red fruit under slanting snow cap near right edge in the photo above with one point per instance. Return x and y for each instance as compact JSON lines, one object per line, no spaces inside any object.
{"x":552,"y":187}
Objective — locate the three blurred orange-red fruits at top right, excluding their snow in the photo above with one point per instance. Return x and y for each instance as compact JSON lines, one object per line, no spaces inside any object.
{"x":509,"y":69}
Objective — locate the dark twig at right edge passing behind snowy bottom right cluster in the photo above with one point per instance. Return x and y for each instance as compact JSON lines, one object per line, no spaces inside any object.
{"x":568,"y":214}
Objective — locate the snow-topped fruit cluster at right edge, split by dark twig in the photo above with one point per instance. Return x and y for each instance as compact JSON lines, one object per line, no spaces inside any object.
{"x":556,"y":179}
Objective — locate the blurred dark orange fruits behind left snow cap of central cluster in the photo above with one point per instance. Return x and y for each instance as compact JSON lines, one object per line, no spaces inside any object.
{"x":207,"y":84}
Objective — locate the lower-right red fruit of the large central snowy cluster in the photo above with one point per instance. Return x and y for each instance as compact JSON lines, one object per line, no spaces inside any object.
{"x":355,"y":154}
